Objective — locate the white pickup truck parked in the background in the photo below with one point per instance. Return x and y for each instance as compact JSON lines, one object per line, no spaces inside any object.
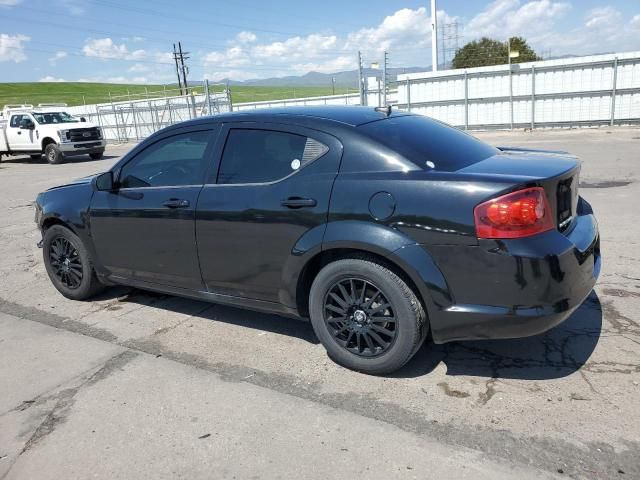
{"x":47,"y":129}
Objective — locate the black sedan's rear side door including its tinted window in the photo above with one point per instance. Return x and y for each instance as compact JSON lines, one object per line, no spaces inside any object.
{"x":273,"y":187}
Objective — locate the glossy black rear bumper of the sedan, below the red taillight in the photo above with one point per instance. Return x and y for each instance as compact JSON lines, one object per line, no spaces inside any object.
{"x":516,"y":288}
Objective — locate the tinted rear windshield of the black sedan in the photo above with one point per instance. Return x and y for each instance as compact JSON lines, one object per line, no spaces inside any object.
{"x":429,"y":143}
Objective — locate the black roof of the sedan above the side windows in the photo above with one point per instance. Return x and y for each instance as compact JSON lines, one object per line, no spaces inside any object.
{"x":346,"y":115}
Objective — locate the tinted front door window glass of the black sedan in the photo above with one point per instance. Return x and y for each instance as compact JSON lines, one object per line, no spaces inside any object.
{"x":174,"y":161}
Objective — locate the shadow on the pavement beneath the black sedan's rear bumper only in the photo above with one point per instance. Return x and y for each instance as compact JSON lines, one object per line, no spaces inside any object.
{"x":557,"y":353}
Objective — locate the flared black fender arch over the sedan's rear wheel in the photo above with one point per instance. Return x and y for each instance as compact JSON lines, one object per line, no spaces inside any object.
{"x":379,"y":239}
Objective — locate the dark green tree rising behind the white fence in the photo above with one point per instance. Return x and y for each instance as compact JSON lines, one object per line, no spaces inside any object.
{"x":486,"y":51}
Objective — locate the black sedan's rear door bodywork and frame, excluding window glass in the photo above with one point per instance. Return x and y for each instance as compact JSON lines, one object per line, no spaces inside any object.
{"x":249,"y":243}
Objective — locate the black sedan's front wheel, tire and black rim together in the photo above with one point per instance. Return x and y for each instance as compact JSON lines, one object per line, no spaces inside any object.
{"x":76,"y":279}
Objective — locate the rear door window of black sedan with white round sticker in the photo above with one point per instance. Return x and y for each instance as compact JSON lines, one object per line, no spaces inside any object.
{"x":261,"y":156}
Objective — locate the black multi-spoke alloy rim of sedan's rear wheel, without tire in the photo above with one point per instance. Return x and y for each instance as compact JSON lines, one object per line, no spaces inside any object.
{"x":359,"y":317}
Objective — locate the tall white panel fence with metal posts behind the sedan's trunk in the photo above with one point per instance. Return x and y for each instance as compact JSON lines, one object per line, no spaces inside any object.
{"x":593,"y":90}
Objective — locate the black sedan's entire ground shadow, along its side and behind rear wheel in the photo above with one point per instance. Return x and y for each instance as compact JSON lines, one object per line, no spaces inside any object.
{"x":554,"y":354}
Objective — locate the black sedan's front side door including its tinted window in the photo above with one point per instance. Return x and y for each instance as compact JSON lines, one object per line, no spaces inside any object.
{"x":145,"y":230}
